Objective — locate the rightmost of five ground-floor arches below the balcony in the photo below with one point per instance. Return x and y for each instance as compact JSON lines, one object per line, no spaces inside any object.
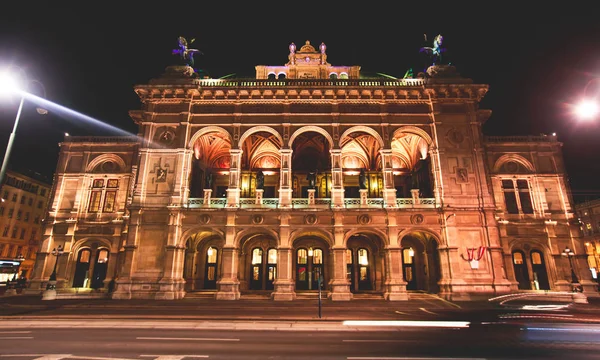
{"x":421,"y":262}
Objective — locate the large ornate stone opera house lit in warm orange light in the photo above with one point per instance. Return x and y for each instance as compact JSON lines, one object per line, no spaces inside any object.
{"x":310,"y":173}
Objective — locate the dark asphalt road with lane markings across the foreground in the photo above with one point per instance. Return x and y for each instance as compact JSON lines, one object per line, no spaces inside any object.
{"x":481,"y":342}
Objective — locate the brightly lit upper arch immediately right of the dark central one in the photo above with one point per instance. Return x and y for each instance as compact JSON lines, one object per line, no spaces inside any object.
{"x":361,"y":165}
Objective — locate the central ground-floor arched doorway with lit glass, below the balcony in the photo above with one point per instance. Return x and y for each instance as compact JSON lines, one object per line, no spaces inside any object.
{"x":310,"y":263}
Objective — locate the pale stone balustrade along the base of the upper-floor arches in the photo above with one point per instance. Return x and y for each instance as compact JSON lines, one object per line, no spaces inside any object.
{"x":320,"y":203}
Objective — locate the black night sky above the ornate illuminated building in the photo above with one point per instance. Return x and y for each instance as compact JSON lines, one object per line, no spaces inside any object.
{"x":536,"y":61}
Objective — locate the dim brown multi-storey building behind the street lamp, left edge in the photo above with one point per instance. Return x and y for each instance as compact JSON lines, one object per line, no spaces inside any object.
{"x":23,"y":202}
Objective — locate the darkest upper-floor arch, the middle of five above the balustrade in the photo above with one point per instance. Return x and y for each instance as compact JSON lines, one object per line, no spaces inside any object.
{"x":311,"y":164}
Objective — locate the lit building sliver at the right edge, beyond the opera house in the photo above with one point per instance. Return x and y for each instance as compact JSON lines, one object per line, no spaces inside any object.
{"x":589,"y":218}
